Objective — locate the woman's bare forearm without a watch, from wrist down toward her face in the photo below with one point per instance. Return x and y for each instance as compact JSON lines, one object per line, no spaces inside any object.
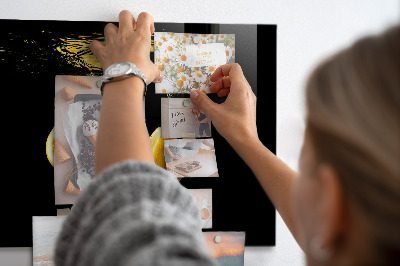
{"x":275,"y":177}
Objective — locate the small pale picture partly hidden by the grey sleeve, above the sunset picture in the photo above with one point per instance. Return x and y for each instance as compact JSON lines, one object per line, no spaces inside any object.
{"x":204,"y":199}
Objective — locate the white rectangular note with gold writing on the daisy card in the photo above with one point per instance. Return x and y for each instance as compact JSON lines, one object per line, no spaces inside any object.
{"x":205,"y":55}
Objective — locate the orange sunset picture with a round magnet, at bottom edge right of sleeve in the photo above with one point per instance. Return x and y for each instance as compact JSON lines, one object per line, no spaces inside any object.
{"x":226,"y":247}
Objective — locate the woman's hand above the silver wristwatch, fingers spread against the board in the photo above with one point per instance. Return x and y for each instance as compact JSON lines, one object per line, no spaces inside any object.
{"x":130,"y":42}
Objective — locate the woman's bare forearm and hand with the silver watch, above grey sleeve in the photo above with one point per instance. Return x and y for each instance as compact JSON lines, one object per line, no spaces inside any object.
{"x":122,"y":131}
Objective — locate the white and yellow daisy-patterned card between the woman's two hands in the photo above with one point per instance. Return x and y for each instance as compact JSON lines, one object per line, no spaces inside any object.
{"x":188,"y":60}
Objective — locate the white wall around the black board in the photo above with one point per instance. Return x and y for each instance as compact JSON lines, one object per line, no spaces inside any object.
{"x":307,"y":32}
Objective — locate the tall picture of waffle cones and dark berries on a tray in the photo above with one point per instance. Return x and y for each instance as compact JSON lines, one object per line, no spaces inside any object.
{"x":77,"y":104}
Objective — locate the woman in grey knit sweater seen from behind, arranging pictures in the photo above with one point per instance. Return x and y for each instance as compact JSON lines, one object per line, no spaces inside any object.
{"x":343,"y":208}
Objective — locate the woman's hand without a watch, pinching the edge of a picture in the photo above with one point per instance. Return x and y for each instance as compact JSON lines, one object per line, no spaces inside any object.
{"x":235,"y":119}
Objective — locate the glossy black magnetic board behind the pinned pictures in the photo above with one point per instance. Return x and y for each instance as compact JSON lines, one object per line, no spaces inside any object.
{"x":29,"y":62}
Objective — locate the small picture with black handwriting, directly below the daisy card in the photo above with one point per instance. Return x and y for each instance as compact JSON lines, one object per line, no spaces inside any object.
{"x":180,"y":118}
